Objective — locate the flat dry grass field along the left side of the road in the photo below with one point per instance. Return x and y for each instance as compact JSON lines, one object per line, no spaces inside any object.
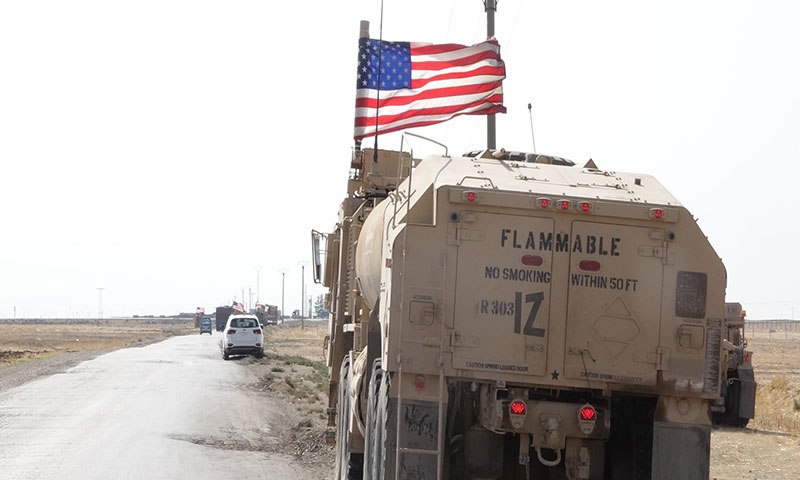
{"x":23,"y":342}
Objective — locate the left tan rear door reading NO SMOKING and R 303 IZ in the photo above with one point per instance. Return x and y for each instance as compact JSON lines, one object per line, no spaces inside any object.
{"x":502,"y":308}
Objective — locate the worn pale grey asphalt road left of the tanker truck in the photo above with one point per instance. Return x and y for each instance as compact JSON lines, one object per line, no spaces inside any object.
{"x":170,"y":410}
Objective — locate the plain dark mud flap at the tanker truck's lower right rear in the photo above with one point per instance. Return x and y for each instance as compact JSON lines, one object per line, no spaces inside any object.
{"x":680,"y":452}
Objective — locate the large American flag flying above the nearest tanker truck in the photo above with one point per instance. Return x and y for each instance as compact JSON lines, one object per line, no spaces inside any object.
{"x":422,"y":84}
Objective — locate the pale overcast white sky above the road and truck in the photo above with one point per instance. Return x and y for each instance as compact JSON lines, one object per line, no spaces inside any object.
{"x":165,"y":149}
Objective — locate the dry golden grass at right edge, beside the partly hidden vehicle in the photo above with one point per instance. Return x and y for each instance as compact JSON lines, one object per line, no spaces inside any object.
{"x":776,"y":361}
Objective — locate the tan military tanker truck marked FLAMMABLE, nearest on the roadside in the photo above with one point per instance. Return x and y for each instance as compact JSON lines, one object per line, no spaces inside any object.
{"x":507,"y":315}
